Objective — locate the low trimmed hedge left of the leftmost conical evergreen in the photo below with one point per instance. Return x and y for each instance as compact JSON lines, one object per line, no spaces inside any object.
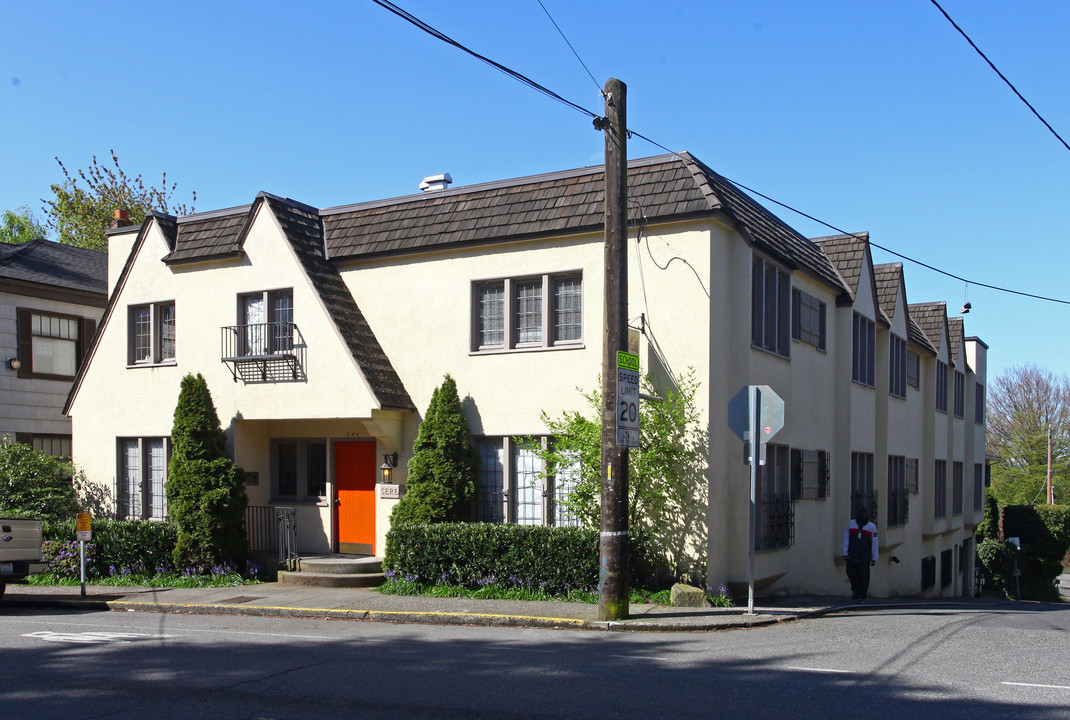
{"x":119,"y":547}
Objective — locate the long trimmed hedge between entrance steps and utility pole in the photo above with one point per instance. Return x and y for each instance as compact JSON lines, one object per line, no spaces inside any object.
{"x":475,"y":555}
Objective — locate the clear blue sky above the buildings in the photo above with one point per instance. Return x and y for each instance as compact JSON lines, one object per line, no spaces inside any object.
{"x":870,"y":116}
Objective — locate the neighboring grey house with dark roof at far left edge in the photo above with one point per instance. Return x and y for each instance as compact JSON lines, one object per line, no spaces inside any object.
{"x":51,"y":298}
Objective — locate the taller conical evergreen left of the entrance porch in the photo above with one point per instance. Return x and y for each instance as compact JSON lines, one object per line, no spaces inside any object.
{"x":206,"y":492}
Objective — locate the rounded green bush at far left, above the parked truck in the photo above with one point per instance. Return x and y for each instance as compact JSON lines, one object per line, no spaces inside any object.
{"x":35,"y":484}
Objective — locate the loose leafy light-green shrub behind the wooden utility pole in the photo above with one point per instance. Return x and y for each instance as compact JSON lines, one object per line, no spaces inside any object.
{"x":663,"y":471}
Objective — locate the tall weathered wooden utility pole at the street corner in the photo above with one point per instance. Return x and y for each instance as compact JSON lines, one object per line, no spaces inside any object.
{"x":614,"y":548}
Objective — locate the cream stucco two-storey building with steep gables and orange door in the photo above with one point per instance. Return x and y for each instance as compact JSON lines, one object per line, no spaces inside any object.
{"x":324,"y":332}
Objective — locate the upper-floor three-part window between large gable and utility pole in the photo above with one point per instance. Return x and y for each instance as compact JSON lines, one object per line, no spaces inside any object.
{"x":528,"y":313}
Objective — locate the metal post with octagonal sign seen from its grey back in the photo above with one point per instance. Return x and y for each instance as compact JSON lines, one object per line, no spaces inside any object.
{"x":756,"y":415}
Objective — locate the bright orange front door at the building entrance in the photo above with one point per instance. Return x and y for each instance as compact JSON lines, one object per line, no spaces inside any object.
{"x":356,"y":485}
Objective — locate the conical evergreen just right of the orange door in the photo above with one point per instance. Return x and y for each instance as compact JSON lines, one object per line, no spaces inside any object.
{"x":442,"y":469}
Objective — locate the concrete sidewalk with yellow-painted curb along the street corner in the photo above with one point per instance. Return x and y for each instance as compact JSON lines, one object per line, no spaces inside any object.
{"x":277,"y":601}
